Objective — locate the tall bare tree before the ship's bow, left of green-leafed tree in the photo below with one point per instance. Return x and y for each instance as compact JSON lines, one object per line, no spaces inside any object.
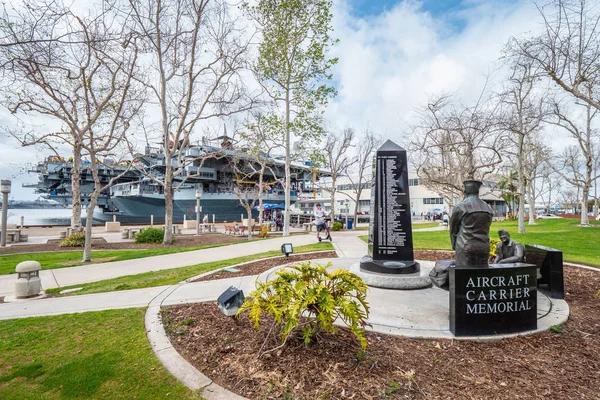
{"x":196,"y":53}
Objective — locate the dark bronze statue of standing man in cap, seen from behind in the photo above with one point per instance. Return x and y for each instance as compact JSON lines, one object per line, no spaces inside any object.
{"x":470,"y":228}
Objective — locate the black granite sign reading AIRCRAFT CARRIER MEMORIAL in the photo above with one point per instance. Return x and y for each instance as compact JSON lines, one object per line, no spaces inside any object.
{"x":501,"y":298}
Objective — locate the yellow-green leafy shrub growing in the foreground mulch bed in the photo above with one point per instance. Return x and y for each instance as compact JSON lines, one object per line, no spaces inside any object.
{"x":309,"y":298}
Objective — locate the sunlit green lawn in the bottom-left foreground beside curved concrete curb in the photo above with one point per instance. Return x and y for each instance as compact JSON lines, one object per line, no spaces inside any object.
{"x":99,"y":355}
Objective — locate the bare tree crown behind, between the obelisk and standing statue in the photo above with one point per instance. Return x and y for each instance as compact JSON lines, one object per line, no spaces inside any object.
{"x":456,"y":143}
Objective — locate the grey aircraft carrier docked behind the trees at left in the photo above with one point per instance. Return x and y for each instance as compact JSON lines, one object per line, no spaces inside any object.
{"x":214,"y":172}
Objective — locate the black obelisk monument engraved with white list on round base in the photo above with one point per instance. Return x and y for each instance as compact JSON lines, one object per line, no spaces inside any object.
{"x":390,"y":238}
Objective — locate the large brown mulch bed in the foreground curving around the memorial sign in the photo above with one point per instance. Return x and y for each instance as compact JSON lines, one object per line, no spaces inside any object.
{"x":544,"y":365}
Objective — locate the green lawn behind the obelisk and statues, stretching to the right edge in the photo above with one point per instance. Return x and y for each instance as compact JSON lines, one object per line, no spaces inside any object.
{"x":578,"y":244}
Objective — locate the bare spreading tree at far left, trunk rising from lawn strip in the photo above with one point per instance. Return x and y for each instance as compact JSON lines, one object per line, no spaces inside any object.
{"x":84,"y":83}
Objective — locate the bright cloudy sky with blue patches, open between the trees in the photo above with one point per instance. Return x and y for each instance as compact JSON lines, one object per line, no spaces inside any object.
{"x":393,"y":56}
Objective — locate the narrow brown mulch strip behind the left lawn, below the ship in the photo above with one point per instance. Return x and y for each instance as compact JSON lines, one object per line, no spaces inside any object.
{"x":101,"y":244}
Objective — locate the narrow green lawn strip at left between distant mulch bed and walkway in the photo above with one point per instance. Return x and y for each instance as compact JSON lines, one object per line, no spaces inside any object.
{"x":62,"y":259}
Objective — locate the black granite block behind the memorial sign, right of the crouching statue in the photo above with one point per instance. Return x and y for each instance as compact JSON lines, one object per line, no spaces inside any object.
{"x":549,"y":261}
